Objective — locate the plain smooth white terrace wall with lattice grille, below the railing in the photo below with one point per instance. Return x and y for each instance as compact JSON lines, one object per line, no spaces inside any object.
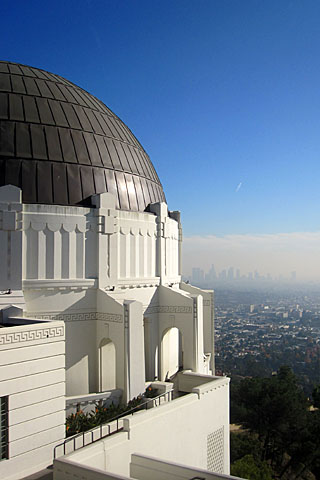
{"x":191,"y":430}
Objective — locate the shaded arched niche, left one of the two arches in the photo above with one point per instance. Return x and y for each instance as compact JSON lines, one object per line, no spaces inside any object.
{"x":107,"y":365}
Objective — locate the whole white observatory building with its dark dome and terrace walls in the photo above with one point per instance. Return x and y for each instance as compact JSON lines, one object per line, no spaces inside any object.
{"x":92,"y":307}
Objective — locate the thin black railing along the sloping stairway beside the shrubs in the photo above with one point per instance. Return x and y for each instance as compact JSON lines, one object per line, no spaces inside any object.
{"x":114,"y":425}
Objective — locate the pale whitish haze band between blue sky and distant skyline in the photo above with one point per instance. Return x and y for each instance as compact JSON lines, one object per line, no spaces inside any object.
{"x":274,"y":254}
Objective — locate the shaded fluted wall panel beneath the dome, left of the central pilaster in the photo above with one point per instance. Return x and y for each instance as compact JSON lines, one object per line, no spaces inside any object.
{"x":59,"y":243}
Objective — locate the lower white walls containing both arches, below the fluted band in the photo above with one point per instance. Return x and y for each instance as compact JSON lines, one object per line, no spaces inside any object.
{"x":93,"y":315}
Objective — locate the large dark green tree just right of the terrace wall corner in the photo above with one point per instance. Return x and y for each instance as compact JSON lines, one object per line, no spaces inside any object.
{"x":276,"y":410}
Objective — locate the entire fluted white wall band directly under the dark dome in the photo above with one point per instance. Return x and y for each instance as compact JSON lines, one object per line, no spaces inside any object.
{"x":62,"y":247}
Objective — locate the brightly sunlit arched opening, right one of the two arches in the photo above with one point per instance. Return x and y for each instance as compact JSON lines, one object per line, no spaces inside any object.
{"x":171,"y":352}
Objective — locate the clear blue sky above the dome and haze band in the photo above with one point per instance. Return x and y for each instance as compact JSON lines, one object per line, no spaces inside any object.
{"x":220,"y":93}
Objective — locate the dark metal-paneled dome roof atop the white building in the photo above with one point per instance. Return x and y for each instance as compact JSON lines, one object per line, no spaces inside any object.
{"x":61,"y":145}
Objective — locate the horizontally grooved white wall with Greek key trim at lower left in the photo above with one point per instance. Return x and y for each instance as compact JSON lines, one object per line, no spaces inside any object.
{"x":32,"y":374}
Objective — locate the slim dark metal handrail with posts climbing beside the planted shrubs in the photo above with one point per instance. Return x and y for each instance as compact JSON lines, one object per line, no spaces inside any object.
{"x":100,"y":427}
